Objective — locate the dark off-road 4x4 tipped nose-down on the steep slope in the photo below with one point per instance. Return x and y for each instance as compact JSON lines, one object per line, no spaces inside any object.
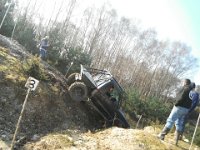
{"x":99,"y":88}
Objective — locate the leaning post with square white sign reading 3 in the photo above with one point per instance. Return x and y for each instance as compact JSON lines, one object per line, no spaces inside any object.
{"x":31,"y":84}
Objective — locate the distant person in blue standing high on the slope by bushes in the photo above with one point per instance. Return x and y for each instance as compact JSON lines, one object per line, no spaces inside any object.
{"x":44,"y":44}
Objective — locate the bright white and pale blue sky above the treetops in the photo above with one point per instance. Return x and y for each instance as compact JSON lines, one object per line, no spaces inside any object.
{"x":177,"y":20}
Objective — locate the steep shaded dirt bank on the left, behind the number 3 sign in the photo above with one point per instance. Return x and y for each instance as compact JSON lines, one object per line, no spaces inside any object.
{"x":48,"y":109}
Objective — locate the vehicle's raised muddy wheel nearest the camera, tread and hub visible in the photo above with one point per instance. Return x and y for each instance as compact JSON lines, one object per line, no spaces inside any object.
{"x":78,"y":91}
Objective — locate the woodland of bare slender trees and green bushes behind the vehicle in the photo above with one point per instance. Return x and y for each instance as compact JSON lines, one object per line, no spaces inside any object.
{"x":149,"y":69}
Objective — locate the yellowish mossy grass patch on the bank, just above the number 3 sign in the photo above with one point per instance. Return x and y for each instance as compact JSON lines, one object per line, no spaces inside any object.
{"x":16,"y":72}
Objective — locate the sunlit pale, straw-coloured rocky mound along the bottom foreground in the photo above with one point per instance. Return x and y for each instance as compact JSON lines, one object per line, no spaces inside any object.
{"x":108,"y":139}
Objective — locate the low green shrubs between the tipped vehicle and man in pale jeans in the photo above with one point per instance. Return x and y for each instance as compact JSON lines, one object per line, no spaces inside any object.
{"x":152,"y":109}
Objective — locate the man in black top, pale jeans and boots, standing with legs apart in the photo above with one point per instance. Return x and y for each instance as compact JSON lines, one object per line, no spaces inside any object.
{"x":180,"y":109}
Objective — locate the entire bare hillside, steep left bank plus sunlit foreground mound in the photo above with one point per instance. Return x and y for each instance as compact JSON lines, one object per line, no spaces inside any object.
{"x":51,"y":120}
